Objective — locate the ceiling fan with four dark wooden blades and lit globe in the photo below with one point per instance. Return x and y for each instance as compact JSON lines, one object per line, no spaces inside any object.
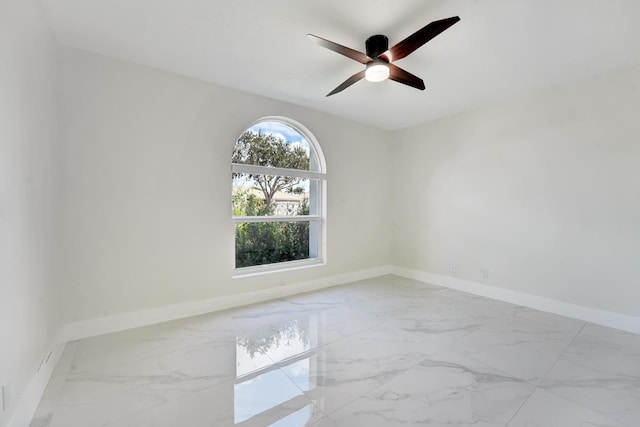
{"x":379,"y":57}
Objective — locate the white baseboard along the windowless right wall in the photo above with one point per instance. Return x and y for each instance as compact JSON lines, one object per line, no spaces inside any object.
{"x":593,"y":315}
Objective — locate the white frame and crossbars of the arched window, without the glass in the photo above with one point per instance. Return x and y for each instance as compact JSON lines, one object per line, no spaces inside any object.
{"x":320,"y":218}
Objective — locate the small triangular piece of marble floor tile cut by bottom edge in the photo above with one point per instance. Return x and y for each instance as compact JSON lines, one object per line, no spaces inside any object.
{"x":546,"y":410}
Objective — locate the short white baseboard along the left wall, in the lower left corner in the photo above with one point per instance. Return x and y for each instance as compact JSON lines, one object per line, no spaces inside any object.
{"x":28,"y":403}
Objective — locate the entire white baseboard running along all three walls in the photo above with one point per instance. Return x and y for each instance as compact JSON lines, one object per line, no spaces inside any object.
{"x":93,"y":327}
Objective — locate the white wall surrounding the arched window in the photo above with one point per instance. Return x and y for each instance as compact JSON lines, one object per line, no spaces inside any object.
{"x":146,"y":187}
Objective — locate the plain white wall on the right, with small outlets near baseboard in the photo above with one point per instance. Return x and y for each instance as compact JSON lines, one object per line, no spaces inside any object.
{"x":543,"y":191}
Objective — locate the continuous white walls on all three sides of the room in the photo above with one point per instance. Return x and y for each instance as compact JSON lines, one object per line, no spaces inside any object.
{"x":542,"y":191}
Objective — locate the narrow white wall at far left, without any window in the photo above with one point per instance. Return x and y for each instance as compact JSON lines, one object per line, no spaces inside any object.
{"x":28,"y":132}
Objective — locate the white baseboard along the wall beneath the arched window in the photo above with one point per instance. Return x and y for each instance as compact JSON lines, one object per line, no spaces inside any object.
{"x":120,"y":322}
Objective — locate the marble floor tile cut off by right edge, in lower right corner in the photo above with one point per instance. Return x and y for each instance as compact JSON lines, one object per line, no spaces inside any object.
{"x":600,"y":370}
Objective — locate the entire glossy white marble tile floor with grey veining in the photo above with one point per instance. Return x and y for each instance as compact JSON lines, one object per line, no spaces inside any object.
{"x":380,"y":352}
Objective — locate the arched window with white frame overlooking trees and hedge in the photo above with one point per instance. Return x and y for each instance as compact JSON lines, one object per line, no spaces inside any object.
{"x":279,"y":181}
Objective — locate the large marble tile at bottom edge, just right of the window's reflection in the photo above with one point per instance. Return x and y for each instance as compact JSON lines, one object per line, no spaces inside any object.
{"x":444,"y":390}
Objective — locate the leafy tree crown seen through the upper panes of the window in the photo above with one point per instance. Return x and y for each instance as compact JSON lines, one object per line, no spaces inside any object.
{"x":268,"y":150}
